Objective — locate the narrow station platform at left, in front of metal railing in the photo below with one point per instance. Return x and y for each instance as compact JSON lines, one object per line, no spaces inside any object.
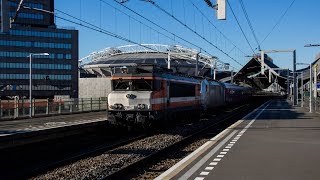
{"x":23,"y":131}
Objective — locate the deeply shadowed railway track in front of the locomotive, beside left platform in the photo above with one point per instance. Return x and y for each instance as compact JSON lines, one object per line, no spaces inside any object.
{"x":37,"y":158}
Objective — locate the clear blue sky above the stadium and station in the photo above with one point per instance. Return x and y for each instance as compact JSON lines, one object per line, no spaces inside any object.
{"x":298,"y":27}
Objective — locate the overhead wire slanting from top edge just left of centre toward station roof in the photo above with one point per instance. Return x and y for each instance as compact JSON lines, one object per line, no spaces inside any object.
{"x":194,"y":31}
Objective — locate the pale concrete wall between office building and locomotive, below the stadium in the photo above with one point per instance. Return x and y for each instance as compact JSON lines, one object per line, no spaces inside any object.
{"x":94,"y":87}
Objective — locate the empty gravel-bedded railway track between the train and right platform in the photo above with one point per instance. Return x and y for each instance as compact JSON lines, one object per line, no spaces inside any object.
{"x":114,"y":163}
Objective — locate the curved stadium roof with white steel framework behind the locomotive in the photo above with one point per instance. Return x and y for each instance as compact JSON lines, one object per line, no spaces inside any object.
{"x":178,"y":58}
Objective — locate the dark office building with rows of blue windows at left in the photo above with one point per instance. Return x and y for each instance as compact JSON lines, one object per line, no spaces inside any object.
{"x":35,"y":32}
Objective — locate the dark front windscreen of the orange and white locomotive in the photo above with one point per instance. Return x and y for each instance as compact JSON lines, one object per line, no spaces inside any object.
{"x":132,"y":85}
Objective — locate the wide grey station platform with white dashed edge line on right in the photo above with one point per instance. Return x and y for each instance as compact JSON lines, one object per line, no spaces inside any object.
{"x":275,"y":141}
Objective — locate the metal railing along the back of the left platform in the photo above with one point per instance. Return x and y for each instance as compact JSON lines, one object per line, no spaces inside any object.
{"x":12,"y":109}
